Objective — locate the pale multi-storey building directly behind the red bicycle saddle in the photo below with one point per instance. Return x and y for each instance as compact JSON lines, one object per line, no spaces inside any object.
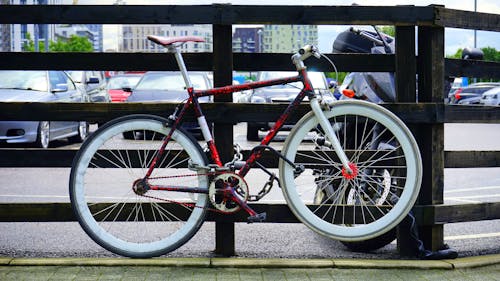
{"x":134,"y":37}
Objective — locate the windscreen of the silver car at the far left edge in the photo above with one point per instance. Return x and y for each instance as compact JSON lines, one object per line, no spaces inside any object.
{"x":24,"y":80}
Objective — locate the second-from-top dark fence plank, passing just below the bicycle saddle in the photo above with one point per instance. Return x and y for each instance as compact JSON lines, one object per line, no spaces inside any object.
{"x":194,"y":61}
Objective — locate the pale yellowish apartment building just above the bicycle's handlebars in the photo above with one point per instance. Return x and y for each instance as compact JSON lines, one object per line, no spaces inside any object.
{"x":288,"y":38}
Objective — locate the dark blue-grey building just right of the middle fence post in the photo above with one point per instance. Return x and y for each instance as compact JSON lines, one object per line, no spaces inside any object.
{"x":247,"y":40}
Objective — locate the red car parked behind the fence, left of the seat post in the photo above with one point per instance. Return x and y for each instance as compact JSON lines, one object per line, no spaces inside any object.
{"x":120,"y":86}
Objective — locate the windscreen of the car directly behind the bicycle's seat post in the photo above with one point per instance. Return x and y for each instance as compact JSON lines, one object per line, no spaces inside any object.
{"x":170,"y":81}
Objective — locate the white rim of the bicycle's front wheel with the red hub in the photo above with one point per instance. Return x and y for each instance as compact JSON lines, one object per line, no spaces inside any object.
{"x":358,"y":232}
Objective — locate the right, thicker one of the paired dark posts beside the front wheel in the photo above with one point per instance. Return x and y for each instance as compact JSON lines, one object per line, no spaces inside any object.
{"x":431,"y":136}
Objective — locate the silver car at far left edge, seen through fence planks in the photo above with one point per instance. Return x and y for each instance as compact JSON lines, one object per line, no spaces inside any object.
{"x":40,"y":86}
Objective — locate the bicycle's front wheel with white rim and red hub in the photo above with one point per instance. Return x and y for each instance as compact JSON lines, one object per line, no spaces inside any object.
{"x":356,"y":206}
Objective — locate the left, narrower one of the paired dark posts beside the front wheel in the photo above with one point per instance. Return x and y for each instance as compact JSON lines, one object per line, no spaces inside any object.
{"x":405,"y":79}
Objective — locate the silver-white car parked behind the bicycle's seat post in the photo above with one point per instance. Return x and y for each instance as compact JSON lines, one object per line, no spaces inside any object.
{"x":169,"y":86}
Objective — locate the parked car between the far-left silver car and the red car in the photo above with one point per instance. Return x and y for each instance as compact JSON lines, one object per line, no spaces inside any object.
{"x":93,"y":83}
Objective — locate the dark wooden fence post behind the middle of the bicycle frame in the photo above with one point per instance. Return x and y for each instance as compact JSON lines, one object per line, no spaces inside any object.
{"x":223,"y":133}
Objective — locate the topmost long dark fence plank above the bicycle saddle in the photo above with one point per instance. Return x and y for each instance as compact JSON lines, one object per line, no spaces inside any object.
{"x":216,"y":14}
